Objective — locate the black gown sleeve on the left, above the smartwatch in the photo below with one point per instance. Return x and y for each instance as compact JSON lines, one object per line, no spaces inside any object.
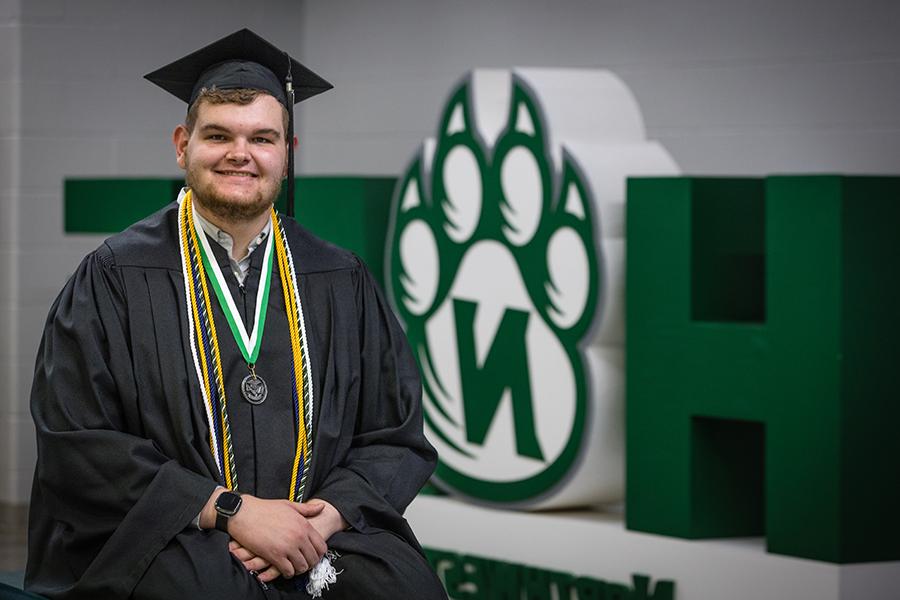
{"x":106,"y":499}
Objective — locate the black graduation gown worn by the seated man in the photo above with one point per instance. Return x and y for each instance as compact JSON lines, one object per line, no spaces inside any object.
{"x":124,"y":463}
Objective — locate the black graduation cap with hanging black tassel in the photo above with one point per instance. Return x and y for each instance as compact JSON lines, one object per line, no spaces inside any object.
{"x":243,"y":60}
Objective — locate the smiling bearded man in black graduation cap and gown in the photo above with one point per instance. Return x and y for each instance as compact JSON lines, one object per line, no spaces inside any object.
{"x":225,"y":405}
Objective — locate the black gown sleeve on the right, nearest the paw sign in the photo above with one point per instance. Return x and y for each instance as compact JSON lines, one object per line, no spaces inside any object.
{"x":389,"y":459}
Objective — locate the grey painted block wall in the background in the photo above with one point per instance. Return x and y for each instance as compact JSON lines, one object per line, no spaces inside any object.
{"x":729,"y":87}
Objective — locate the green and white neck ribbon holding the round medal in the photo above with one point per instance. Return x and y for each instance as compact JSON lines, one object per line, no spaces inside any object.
{"x":248,"y":344}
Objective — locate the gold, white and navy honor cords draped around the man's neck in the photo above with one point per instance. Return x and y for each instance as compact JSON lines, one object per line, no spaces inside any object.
{"x":205,"y":350}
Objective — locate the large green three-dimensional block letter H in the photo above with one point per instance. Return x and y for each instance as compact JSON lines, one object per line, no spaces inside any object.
{"x":763,"y":318}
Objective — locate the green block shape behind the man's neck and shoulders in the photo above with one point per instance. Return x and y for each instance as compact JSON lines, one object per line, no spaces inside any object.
{"x":351,"y":212}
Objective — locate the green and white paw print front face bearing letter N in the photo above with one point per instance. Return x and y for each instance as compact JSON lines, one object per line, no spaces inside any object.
{"x":495,"y":269}
